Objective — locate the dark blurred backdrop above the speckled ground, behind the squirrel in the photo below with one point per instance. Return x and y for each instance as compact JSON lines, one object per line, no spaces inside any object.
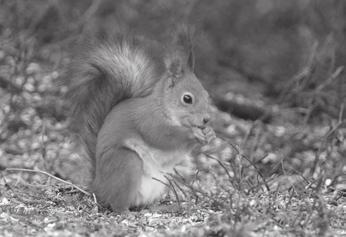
{"x":276,"y":44}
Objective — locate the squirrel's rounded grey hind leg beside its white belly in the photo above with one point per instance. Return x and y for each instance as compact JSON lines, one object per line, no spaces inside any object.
{"x":118,"y":176}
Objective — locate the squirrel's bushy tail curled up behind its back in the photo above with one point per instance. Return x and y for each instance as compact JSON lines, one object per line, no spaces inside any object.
{"x":107,"y":73}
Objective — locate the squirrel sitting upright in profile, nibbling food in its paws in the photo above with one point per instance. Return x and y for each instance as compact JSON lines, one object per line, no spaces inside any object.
{"x":140,"y":111}
